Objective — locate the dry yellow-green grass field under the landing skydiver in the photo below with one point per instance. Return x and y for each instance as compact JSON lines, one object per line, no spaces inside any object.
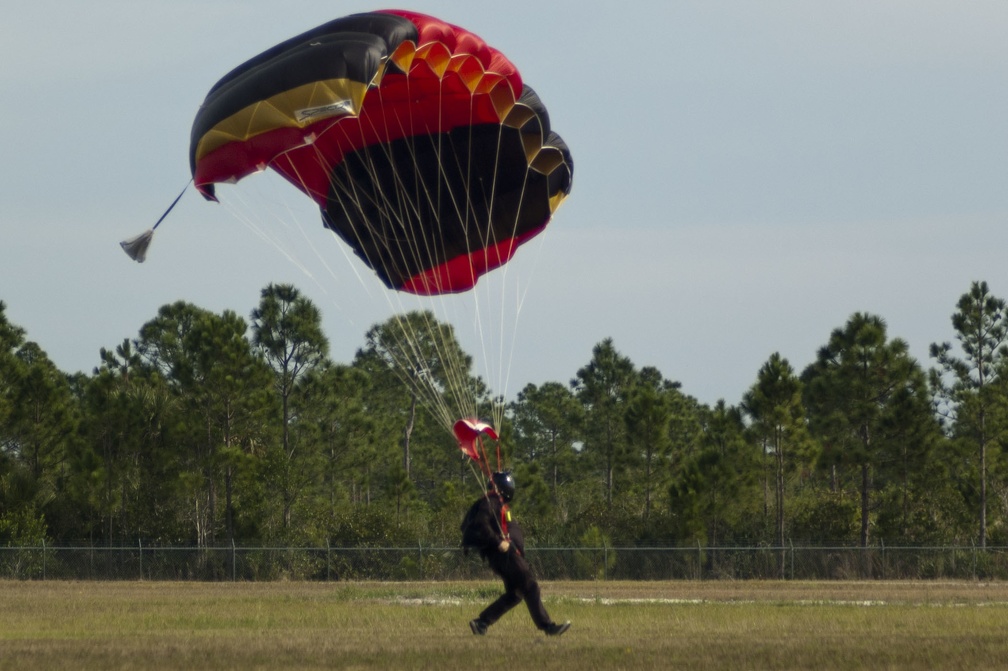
{"x":718,"y":625}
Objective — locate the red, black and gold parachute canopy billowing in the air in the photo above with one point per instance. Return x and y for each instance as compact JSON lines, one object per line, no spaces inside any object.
{"x":422,"y":146}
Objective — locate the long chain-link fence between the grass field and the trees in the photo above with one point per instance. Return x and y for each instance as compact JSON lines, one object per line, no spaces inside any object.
{"x":451,"y":564}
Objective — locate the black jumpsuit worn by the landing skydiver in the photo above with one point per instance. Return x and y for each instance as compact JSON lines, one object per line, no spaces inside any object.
{"x":482,"y":531}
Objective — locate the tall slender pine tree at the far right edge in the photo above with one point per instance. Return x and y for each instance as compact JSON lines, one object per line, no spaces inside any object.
{"x":973,"y":402}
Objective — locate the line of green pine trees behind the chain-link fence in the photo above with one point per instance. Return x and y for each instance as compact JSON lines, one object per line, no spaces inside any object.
{"x":209,"y":430}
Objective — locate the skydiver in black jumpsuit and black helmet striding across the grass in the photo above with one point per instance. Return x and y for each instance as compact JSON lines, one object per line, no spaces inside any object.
{"x":489,"y":530}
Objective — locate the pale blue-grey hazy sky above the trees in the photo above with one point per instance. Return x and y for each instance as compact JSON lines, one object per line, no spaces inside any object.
{"x":747,"y":176}
